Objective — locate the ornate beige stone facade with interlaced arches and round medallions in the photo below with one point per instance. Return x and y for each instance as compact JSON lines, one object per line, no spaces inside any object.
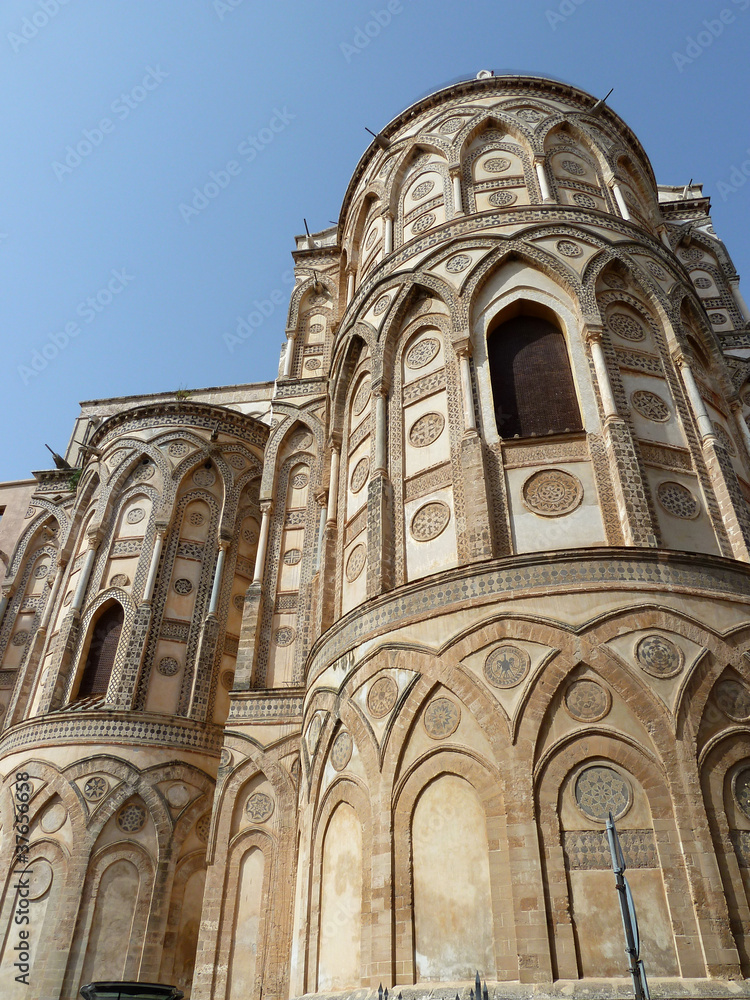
{"x":380,"y":672}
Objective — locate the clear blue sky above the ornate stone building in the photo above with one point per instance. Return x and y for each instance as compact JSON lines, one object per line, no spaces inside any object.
{"x":184,"y":86}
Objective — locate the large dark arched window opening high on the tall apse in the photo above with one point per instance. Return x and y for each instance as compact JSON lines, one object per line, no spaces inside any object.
{"x":531,"y":381}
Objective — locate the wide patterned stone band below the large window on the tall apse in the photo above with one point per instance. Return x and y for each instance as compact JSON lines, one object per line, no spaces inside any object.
{"x":642,"y":570}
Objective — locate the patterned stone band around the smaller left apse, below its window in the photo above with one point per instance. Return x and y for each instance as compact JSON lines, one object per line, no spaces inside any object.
{"x":113,"y":729}
